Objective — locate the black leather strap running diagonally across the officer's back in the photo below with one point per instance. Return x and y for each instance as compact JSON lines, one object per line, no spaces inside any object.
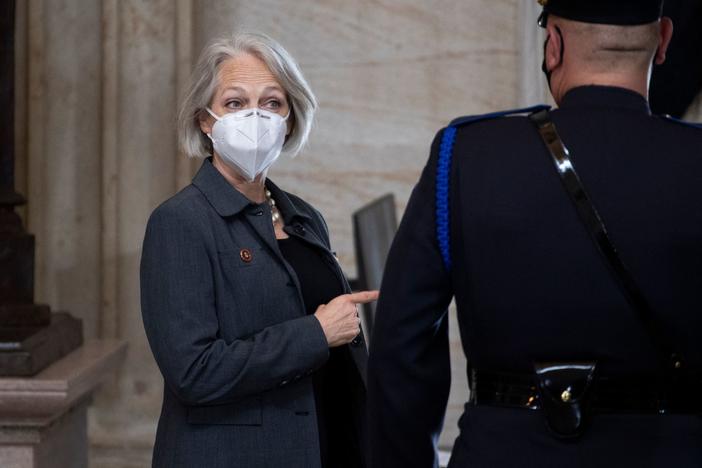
{"x":598,"y":233}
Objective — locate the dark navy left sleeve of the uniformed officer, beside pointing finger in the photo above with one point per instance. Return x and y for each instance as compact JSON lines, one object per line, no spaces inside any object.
{"x":409,"y":366}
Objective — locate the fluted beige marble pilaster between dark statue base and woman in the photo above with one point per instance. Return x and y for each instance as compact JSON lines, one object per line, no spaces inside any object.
{"x":98,"y":154}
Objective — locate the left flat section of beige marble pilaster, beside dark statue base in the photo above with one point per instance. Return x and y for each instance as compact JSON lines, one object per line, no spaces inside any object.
{"x":63,"y":160}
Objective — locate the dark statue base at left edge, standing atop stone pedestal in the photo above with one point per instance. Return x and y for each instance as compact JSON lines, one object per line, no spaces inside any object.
{"x":30,"y":337}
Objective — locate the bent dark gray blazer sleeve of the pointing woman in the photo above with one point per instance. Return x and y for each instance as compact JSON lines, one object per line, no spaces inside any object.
{"x":180,"y":319}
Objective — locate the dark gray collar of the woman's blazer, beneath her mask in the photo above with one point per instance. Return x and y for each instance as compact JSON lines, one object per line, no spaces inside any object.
{"x":228,"y":201}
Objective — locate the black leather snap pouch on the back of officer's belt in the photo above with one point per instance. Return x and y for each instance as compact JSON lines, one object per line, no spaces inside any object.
{"x":565,"y":394}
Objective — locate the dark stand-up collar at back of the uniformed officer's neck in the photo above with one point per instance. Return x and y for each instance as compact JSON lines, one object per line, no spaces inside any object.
{"x":604,"y":97}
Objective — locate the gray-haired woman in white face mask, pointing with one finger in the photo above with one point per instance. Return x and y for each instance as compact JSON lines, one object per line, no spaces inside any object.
{"x":248,"y":314}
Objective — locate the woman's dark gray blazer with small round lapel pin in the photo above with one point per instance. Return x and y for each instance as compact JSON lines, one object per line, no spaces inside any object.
{"x":231,"y":336}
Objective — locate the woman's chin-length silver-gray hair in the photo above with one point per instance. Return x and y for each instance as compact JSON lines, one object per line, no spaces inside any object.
{"x":204,"y":81}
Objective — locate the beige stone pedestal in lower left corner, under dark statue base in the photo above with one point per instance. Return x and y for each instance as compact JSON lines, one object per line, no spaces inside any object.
{"x":43,"y":419}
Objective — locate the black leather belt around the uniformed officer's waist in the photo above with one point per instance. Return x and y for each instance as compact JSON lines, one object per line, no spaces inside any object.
{"x":608,"y":395}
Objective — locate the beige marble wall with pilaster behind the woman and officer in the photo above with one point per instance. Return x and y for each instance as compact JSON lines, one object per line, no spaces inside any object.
{"x":98,"y":87}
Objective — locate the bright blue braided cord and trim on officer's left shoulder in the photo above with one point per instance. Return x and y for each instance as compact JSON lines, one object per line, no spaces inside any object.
{"x":443,"y":175}
